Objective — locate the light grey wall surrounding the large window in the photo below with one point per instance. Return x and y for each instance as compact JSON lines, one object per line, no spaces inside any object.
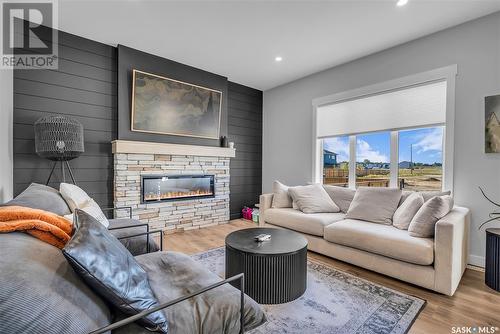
{"x":473,"y":46}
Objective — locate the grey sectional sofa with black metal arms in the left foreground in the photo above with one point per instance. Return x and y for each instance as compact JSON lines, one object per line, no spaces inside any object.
{"x":41,"y":293}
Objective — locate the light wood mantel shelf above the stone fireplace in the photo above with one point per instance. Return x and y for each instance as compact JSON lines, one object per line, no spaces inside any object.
{"x":141,"y":147}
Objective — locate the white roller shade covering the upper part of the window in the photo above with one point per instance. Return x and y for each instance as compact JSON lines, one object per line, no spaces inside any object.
{"x":411,"y":107}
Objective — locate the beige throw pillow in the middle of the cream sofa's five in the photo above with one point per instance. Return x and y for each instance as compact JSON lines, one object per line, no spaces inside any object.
{"x":375,"y":205}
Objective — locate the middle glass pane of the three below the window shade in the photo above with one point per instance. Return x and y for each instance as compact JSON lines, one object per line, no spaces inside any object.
{"x":373,"y":159}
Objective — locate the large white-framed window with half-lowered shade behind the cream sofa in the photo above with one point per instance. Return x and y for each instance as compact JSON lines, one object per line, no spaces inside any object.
{"x":399,"y":133}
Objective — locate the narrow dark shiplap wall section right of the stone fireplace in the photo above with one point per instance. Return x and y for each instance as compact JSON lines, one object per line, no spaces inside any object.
{"x":245,"y":129}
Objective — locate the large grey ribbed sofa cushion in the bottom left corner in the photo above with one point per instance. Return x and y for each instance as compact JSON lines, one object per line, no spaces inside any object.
{"x":41,"y":293}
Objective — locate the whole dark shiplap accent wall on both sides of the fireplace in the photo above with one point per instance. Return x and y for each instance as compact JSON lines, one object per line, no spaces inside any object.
{"x":85,"y":87}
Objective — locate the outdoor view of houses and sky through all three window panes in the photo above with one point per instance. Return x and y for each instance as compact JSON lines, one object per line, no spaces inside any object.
{"x":420,"y":157}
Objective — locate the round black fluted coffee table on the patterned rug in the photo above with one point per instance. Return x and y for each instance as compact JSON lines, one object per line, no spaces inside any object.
{"x":275,"y":270}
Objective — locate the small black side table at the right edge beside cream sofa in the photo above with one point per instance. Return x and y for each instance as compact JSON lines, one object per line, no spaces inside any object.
{"x":492,"y":268}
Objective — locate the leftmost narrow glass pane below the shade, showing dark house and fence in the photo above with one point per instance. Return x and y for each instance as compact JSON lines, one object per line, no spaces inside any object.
{"x":336,"y":161}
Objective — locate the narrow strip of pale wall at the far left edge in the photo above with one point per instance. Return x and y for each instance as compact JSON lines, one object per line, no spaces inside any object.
{"x":6,"y":156}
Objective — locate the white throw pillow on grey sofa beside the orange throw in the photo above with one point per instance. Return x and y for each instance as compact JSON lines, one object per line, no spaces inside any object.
{"x":77,"y":198}
